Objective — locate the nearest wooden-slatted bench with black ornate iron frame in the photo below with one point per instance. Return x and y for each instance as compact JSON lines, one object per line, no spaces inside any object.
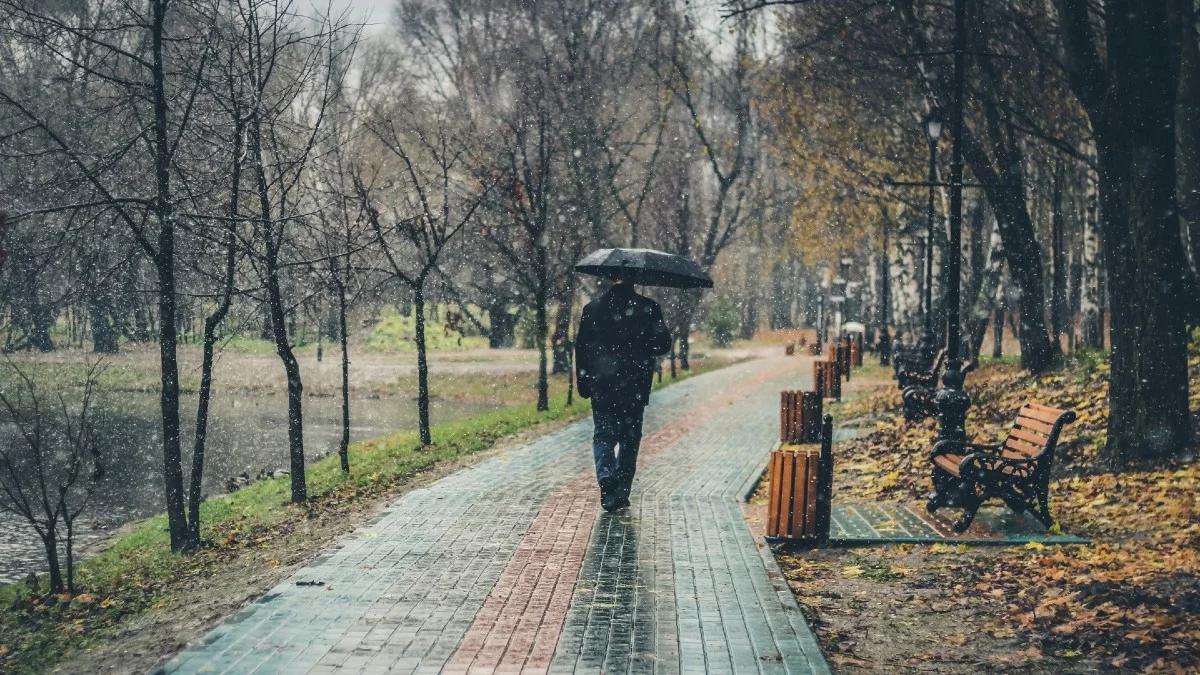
{"x":1016,"y":471}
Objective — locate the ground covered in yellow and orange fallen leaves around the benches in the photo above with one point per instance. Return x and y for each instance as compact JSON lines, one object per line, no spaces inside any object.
{"x":1130,"y":601}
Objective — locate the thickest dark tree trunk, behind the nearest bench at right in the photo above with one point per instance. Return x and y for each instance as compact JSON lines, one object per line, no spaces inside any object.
{"x":1136,"y":144}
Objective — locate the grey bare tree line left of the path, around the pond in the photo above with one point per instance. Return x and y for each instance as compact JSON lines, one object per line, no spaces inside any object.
{"x":194,"y":170}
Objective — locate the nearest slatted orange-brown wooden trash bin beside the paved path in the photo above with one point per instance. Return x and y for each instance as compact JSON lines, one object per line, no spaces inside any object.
{"x":801,"y":489}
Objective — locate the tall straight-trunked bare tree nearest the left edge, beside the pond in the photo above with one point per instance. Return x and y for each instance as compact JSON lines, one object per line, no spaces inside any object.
{"x":158,"y":79}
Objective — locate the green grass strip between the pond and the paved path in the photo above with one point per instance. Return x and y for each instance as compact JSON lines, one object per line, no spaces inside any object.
{"x":137,"y":575}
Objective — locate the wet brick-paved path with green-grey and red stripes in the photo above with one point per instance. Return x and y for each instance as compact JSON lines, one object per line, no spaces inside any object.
{"x":511,"y":566}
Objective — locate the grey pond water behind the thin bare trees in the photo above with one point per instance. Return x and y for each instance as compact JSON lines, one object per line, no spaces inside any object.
{"x":247,"y":435}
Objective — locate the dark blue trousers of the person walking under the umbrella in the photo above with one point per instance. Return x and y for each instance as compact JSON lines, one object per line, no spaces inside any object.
{"x":619,"y":433}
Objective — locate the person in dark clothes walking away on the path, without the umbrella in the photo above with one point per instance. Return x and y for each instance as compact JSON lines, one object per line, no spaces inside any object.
{"x":621,"y":333}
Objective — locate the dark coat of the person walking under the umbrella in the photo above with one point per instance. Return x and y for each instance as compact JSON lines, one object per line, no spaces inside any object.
{"x":619,"y":338}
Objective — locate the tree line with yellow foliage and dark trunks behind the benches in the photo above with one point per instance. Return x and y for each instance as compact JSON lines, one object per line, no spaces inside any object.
{"x":1079,"y":142}
